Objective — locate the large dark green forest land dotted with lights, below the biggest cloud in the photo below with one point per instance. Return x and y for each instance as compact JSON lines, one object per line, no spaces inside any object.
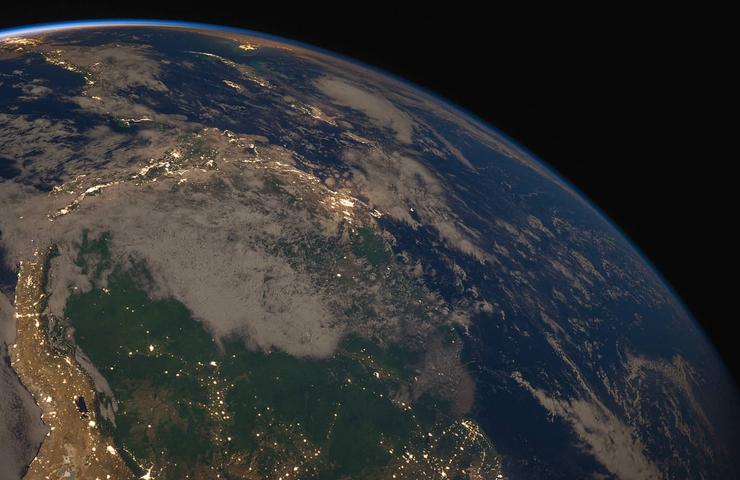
{"x":192,"y":406}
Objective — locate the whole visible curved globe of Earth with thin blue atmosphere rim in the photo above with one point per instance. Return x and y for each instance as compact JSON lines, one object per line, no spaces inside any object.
{"x":226,"y":255}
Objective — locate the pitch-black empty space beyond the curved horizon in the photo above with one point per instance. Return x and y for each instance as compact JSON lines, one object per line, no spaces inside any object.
{"x":628,"y":104}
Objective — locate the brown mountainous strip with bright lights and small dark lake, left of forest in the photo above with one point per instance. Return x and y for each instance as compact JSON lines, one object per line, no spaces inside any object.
{"x":74,"y":447}
